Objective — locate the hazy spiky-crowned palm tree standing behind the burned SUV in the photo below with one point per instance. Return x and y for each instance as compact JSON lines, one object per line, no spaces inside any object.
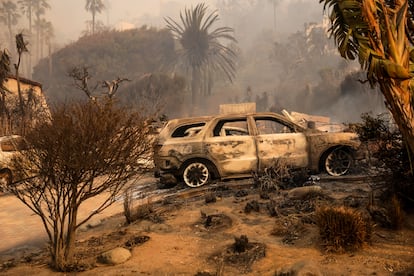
{"x":202,"y":50}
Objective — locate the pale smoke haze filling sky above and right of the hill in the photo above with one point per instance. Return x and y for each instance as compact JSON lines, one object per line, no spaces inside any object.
{"x":284,"y":52}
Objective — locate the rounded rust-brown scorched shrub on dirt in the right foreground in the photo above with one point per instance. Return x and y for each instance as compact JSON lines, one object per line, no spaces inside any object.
{"x":342,"y":228}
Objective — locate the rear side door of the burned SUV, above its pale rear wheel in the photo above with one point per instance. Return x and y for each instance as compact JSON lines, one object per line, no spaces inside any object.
{"x":232,"y":147}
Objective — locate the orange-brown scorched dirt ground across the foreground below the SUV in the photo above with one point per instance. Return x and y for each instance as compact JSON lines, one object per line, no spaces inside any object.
{"x":196,"y":234}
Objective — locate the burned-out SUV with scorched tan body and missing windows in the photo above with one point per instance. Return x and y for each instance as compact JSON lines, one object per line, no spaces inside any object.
{"x":197,"y":150}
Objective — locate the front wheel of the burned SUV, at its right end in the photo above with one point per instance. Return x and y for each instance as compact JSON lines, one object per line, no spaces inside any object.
{"x":338,"y":162}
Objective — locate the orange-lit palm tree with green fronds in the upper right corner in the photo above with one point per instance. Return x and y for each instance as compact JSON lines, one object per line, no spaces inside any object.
{"x":378,"y":33}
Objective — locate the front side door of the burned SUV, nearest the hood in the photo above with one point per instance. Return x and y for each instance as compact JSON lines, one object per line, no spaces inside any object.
{"x":278,"y":140}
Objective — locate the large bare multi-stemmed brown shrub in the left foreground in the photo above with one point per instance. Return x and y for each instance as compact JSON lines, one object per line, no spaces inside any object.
{"x":85,"y":150}
